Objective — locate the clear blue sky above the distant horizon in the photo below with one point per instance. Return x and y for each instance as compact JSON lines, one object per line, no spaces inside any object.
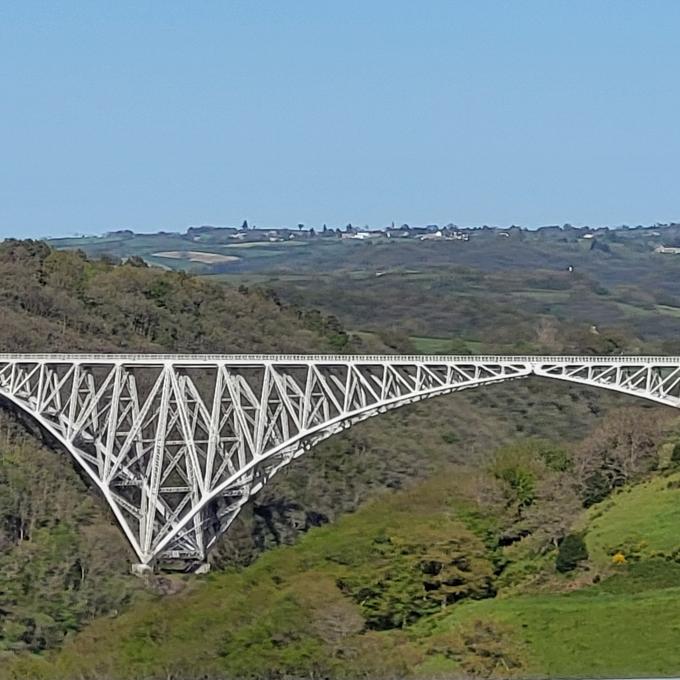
{"x":159,"y":115}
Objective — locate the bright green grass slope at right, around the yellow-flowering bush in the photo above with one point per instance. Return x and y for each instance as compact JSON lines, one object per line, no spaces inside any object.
{"x":626,"y":624}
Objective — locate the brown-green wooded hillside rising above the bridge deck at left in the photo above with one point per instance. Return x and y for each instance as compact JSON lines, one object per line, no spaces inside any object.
{"x":60,"y":301}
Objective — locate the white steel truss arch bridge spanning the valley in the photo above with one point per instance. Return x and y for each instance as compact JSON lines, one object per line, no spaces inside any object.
{"x":178,"y":443}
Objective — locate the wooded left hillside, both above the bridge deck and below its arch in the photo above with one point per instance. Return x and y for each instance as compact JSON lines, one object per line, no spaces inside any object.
{"x":62,"y":561}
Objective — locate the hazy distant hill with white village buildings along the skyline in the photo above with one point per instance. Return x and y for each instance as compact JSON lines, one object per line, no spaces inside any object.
{"x":258,"y":250}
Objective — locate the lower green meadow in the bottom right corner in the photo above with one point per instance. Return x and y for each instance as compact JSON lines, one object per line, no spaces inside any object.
{"x":589,"y":633}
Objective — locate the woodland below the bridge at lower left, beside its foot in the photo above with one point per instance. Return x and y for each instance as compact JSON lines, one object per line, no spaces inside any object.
{"x":56,"y":568}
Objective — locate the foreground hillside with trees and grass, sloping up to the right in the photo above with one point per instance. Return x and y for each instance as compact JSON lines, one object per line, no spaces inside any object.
{"x":529,"y":565}
